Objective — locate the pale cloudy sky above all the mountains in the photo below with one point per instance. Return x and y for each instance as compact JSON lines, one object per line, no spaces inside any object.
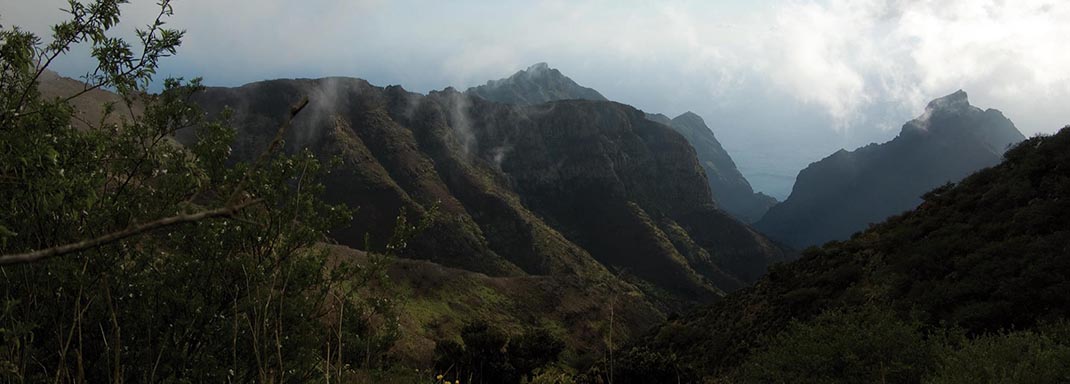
{"x":782,"y":83}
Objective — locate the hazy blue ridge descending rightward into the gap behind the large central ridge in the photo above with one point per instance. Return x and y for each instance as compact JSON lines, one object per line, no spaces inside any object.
{"x":731,"y":191}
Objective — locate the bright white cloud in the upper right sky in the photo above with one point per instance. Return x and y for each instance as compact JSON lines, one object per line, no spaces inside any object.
{"x":846,"y":56}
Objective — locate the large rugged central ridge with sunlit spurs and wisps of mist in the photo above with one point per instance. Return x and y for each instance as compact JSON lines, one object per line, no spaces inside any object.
{"x":571,"y":188}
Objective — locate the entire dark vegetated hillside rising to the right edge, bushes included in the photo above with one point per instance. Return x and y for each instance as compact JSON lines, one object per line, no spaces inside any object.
{"x":976,"y":260}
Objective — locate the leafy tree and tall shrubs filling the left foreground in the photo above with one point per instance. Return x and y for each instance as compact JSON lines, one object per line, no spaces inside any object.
{"x":129,"y":257}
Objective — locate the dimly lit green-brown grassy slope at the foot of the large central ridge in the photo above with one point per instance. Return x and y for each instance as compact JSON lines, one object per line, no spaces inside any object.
{"x":437,"y":302}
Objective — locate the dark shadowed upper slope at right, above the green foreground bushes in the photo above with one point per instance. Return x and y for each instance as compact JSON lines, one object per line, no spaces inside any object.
{"x":986,"y":256}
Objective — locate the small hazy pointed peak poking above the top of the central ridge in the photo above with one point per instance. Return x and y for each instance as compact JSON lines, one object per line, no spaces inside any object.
{"x":539,"y":84}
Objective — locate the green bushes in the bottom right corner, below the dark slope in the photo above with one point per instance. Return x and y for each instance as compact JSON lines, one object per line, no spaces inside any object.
{"x":872,"y":345}
